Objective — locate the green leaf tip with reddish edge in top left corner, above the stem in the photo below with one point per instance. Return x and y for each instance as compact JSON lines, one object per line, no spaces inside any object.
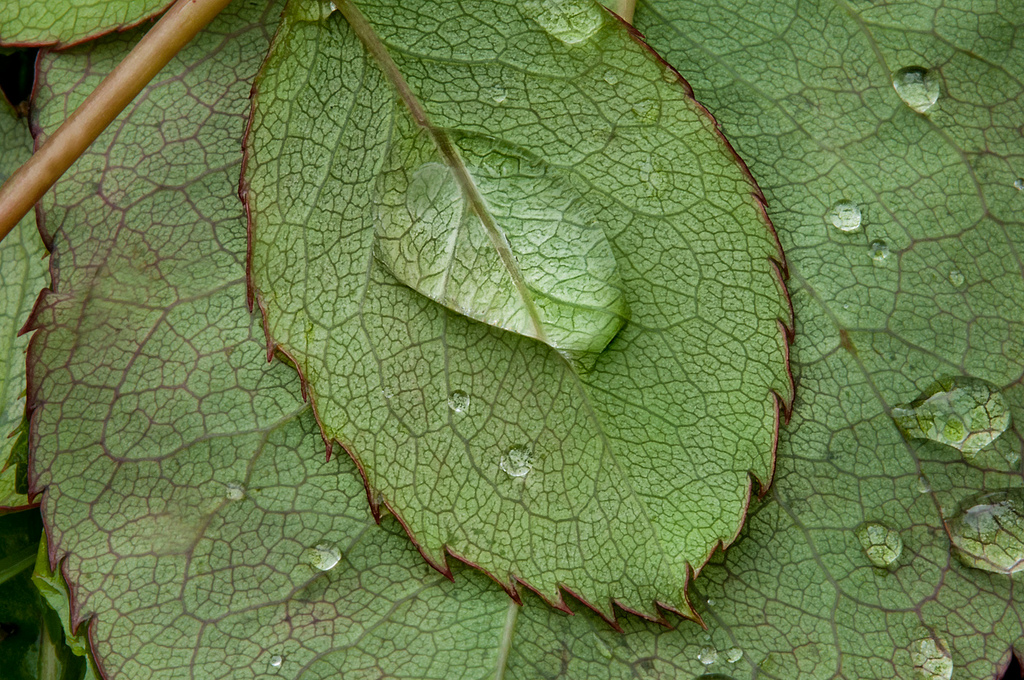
{"x":65,"y":23}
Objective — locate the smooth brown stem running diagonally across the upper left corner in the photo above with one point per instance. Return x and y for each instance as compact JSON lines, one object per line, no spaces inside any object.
{"x":176,"y":29}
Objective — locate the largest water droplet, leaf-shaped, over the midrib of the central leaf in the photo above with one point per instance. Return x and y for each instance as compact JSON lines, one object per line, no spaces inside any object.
{"x":507,"y":241}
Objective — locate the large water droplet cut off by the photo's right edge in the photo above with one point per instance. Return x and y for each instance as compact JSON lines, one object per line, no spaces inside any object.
{"x":989,"y":532}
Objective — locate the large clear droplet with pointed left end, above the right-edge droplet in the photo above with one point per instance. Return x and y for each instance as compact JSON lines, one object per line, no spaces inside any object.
{"x":964,"y":413}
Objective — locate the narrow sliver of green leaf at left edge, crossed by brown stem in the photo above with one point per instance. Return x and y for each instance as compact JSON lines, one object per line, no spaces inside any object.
{"x":23,"y":271}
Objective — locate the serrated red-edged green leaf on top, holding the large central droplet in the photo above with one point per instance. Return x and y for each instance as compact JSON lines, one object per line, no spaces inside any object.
{"x":490,"y":446}
